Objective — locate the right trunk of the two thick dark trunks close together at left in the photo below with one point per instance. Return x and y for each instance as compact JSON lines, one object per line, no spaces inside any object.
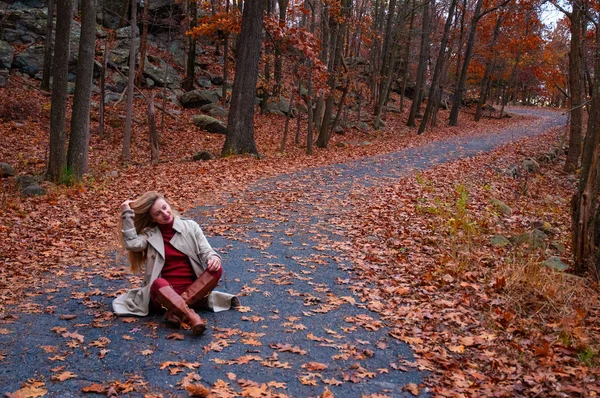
{"x":79,"y":138}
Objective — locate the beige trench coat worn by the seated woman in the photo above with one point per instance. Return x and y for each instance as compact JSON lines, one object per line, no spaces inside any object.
{"x":188,"y":239}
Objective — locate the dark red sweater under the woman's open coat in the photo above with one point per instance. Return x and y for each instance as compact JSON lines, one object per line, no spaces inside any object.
{"x":177,"y":270}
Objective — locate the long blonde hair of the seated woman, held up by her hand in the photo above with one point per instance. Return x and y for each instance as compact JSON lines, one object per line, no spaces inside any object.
{"x":142,"y":222}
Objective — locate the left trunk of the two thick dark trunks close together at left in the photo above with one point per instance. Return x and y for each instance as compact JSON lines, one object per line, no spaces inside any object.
{"x":58,"y":113}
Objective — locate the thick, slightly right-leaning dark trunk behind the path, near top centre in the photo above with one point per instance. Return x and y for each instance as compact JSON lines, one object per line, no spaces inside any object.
{"x":240,"y":123}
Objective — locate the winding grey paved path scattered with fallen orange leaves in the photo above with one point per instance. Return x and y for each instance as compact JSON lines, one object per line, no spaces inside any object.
{"x":285,"y":258}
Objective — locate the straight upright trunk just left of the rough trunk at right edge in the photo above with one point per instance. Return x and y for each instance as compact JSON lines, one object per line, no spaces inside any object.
{"x":575,"y":85}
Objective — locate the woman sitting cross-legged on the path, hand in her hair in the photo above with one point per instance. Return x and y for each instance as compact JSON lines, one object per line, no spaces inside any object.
{"x":172,"y":250}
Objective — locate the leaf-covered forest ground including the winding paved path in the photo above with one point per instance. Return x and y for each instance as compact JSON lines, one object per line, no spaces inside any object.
{"x":363,"y":270}
